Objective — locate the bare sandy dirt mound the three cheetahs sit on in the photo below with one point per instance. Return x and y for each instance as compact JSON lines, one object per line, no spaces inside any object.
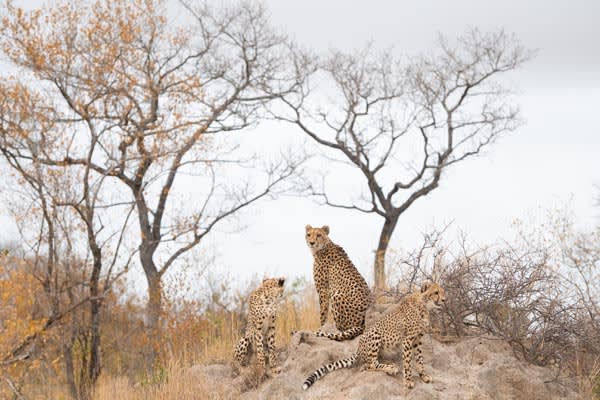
{"x":469,"y":368}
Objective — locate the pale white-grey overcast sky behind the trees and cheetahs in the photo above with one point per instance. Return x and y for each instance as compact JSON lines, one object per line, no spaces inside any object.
{"x":551,"y":161}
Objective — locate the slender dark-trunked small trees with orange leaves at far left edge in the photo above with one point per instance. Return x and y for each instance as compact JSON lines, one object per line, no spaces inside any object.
{"x":58,"y":216}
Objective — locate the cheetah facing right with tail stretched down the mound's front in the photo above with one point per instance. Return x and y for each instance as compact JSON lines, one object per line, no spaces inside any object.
{"x":405,"y":325}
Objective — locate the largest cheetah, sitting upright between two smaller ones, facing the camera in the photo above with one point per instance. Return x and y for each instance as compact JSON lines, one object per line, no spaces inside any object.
{"x":338,"y":283}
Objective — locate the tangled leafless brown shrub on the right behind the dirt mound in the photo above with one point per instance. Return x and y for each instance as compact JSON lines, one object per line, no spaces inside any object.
{"x":539,"y":293}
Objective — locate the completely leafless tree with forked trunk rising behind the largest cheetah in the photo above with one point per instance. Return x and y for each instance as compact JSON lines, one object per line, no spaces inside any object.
{"x":401,"y":125}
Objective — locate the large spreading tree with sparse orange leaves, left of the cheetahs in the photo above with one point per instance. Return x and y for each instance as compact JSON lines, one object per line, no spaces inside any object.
{"x":133,"y":99}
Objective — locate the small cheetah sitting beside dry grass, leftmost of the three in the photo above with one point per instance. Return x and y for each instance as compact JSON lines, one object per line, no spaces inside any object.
{"x":262,"y":310}
